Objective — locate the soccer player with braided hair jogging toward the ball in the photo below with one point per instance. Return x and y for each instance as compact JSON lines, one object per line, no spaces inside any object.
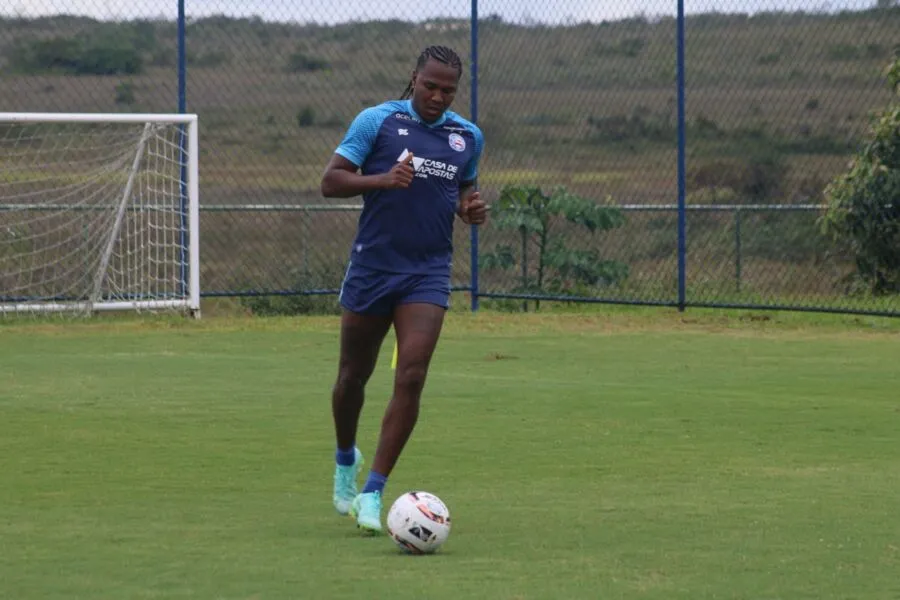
{"x":415,"y":163}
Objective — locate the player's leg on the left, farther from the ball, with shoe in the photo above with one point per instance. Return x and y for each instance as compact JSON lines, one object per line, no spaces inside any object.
{"x":361,"y":339}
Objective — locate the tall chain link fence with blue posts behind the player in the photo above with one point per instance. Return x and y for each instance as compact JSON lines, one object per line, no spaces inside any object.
{"x":579,"y":105}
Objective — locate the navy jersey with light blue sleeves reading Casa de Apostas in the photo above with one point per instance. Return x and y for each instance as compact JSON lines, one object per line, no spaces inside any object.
{"x":410,"y":230}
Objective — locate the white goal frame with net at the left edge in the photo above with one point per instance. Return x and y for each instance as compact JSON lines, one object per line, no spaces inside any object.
{"x":99,"y":212}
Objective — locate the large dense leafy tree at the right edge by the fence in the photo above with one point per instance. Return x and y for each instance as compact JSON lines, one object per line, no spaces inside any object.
{"x":863,"y":211}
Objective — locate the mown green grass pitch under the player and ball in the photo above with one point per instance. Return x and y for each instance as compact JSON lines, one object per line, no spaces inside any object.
{"x":619,"y":454}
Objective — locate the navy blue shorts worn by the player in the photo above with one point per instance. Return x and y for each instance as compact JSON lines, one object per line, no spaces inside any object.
{"x":372,"y":292}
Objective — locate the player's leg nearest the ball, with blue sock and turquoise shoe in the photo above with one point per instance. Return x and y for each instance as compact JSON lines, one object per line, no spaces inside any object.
{"x":418,"y":326}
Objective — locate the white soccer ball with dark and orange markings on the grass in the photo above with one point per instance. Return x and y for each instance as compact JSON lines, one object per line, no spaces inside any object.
{"x":419,"y":522}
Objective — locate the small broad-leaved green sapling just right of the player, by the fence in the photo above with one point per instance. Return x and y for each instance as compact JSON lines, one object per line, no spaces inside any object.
{"x":561,"y":268}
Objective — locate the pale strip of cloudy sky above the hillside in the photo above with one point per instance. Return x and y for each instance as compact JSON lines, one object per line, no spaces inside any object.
{"x":338,"y":11}
